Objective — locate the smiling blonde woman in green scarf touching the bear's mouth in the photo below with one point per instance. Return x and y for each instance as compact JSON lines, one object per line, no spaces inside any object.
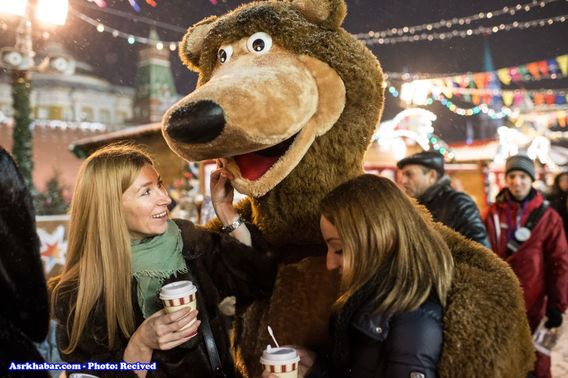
{"x":122,"y":248}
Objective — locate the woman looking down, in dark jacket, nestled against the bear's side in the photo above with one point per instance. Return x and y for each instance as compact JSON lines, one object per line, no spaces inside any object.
{"x":395,"y":276}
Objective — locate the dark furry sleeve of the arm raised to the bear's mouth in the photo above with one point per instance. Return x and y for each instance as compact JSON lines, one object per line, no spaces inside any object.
{"x":236,"y":269}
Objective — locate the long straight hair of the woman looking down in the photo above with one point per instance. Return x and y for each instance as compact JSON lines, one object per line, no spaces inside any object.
{"x":382,"y":231}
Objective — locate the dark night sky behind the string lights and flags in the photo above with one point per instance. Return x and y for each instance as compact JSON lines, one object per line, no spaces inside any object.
{"x":115,"y":59}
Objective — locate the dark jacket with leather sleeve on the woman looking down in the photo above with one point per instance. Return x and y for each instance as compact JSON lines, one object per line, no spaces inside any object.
{"x":368,"y":344}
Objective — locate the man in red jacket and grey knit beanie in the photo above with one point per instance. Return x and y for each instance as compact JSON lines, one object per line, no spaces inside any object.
{"x":534,"y":247}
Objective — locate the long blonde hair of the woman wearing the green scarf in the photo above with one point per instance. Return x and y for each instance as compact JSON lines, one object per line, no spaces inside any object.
{"x":97,"y":268}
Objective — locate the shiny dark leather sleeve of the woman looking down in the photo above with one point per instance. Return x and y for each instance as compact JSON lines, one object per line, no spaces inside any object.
{"x":414,"y":345}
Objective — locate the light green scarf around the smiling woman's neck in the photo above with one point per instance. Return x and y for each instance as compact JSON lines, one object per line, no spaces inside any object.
{"x":153,"y":260}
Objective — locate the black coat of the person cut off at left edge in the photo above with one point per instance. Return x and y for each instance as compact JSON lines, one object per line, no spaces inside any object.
{"x":24,"y":313}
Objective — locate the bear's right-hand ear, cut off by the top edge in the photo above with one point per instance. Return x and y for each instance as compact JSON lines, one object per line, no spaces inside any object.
{"x":329,"y":13}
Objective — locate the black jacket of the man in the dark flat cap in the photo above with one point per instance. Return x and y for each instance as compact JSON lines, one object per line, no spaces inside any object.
{"x":455,"y":209}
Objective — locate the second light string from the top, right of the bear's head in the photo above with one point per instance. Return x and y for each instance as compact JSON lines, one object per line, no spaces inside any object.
{"x":485,"y":30}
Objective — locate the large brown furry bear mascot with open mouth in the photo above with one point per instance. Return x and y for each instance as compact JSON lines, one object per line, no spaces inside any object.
{"x":291,"y":100}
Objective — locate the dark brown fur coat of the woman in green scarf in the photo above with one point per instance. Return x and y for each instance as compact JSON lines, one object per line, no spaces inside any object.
{"x":221,"y":266}
